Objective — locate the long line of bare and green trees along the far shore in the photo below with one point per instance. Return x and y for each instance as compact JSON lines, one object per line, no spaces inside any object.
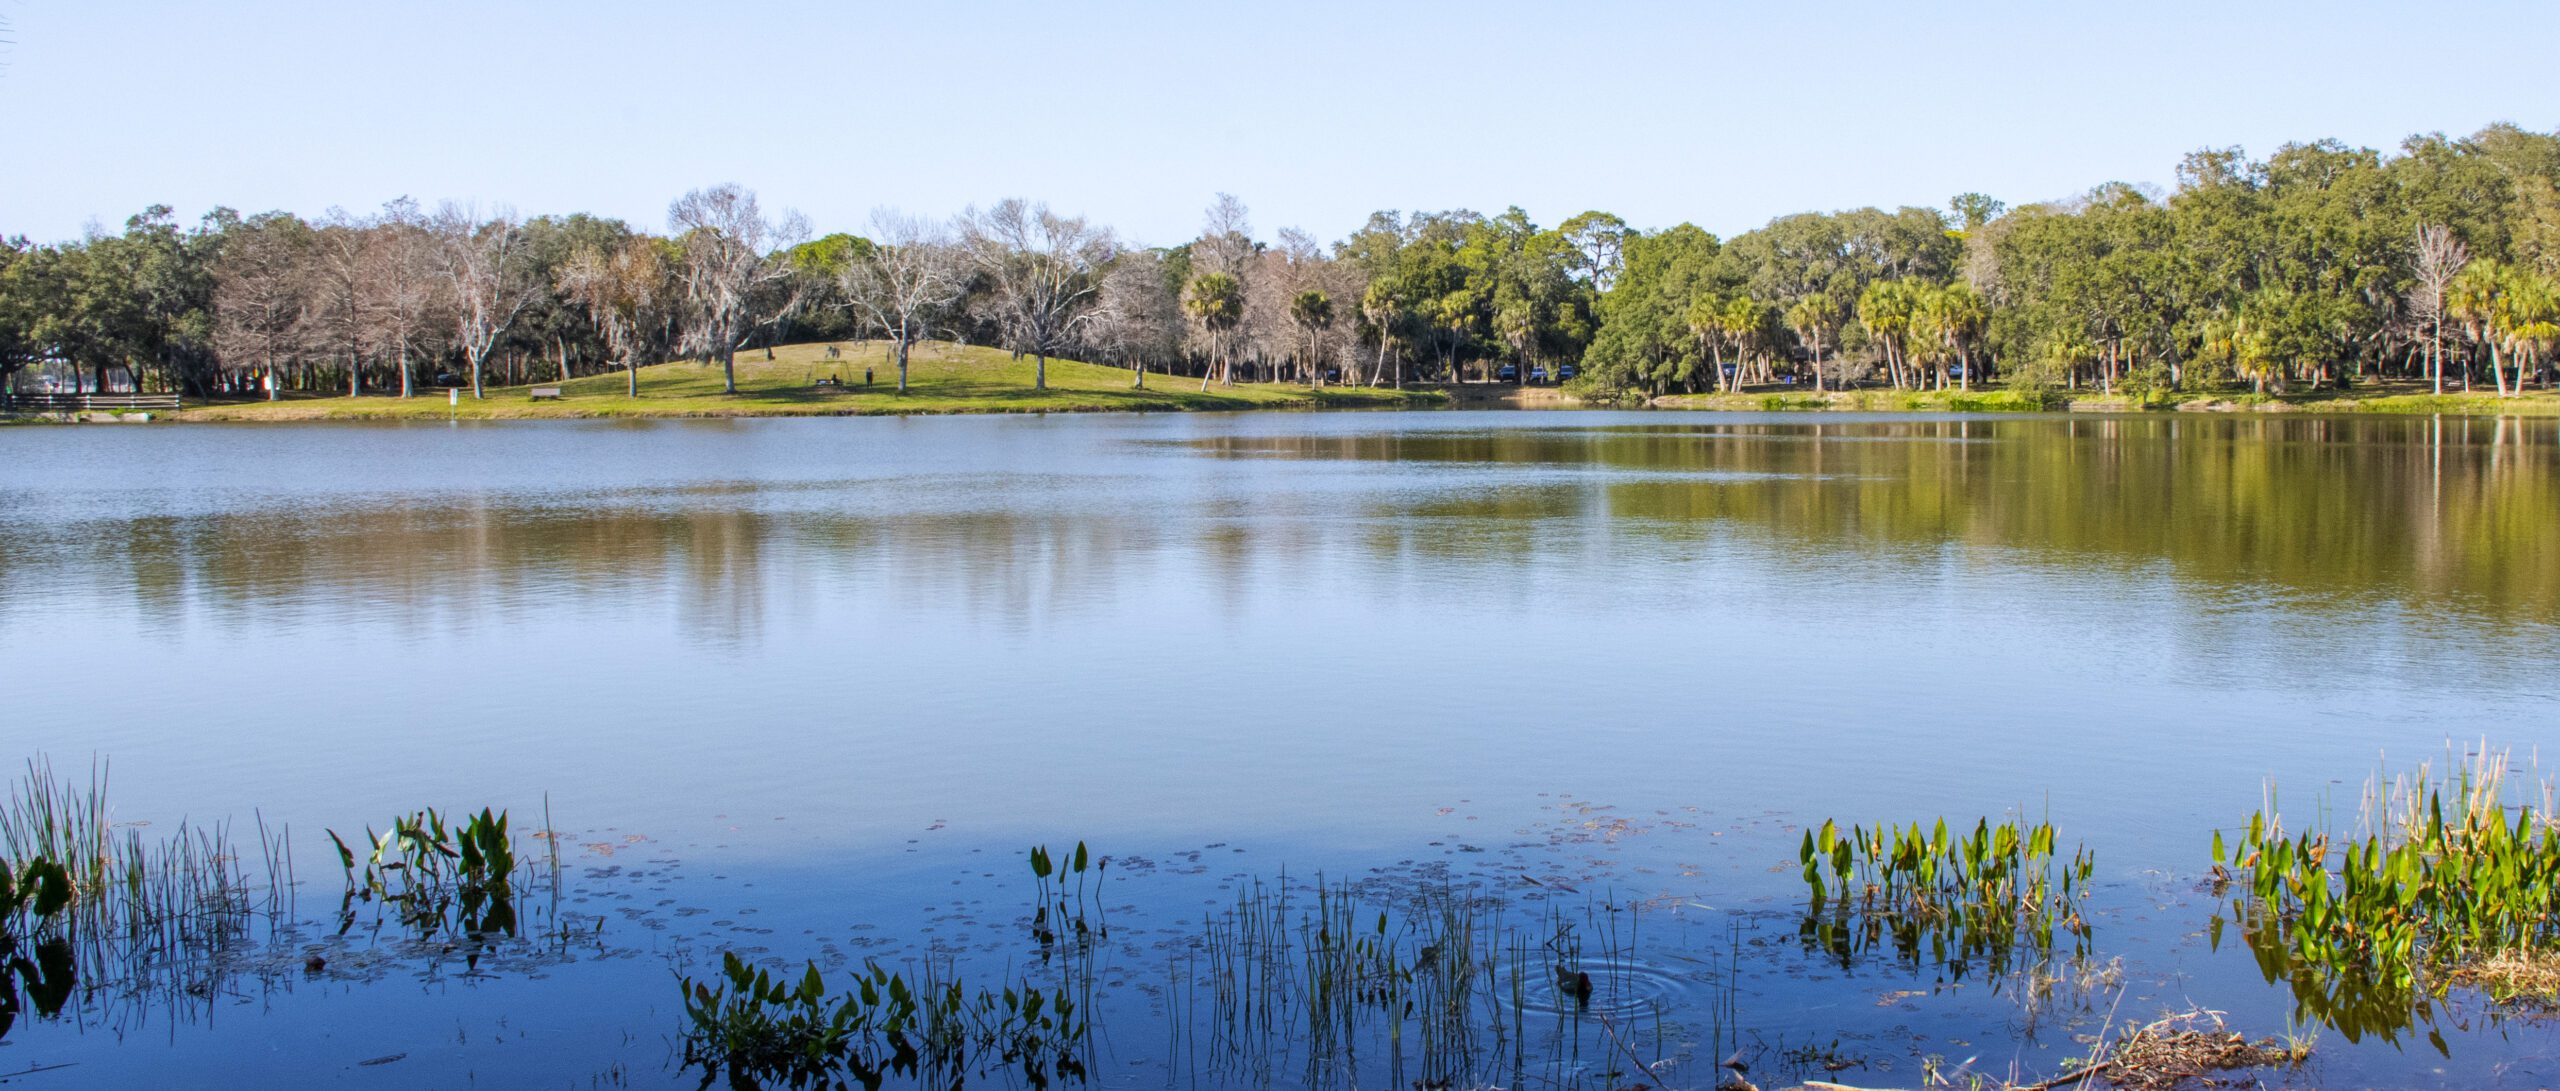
{"x":2316,"y":268}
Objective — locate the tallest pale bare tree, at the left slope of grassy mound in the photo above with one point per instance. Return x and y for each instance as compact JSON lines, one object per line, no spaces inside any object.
{"x":731,"y":270}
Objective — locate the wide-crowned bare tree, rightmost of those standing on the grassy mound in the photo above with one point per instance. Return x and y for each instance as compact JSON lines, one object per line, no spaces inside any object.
{"x":1043,"y":273}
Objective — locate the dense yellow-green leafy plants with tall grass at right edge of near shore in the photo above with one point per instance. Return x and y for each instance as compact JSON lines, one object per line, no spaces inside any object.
{"x":2367,"y":928}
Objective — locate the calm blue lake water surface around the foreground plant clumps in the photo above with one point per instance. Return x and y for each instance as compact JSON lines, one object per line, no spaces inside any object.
{"x":810,"y":688}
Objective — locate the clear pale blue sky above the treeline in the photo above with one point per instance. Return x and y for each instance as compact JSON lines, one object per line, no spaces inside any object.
{"x":1138,"y":114}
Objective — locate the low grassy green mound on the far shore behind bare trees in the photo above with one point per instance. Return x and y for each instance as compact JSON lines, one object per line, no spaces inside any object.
{"x":941,"y":380}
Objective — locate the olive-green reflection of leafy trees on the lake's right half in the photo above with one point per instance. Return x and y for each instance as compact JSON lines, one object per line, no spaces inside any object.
{"x":2354,"y":506}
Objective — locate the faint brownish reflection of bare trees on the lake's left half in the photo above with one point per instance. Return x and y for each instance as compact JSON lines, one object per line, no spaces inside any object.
{"x":421,"y":567}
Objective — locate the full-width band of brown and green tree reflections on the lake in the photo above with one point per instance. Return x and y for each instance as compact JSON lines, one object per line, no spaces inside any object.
{"x":2328,"y":511}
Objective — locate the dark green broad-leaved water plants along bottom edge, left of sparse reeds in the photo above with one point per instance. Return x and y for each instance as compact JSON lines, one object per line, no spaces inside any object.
{"x":751,"y":1028}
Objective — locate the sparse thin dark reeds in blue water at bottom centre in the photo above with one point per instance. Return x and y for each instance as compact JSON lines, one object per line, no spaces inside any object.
{"x":1412,"y":985}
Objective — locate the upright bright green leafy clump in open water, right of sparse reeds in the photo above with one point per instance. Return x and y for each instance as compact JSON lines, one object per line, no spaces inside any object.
{"x":1955,"y":900}
